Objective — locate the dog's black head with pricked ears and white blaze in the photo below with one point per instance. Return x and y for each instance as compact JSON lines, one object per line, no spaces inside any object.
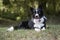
{"x":37,"y":13}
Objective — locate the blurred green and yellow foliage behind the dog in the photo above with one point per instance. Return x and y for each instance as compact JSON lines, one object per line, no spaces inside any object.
{"x":20,"y":9}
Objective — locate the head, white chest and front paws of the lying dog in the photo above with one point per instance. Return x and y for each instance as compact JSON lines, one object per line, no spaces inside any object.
{"x":38,"y":19}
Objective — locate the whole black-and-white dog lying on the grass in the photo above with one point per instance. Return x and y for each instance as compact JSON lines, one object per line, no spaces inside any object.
{"x":37,"y":22}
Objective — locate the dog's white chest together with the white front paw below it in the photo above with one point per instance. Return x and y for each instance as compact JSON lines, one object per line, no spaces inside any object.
{"x":38,"y":23}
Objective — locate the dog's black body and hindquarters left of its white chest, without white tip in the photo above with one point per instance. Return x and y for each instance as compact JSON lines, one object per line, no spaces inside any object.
{"x":25,"y":25}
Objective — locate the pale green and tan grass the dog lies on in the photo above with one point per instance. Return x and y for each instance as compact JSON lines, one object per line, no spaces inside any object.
{"x":51,"y":33}
